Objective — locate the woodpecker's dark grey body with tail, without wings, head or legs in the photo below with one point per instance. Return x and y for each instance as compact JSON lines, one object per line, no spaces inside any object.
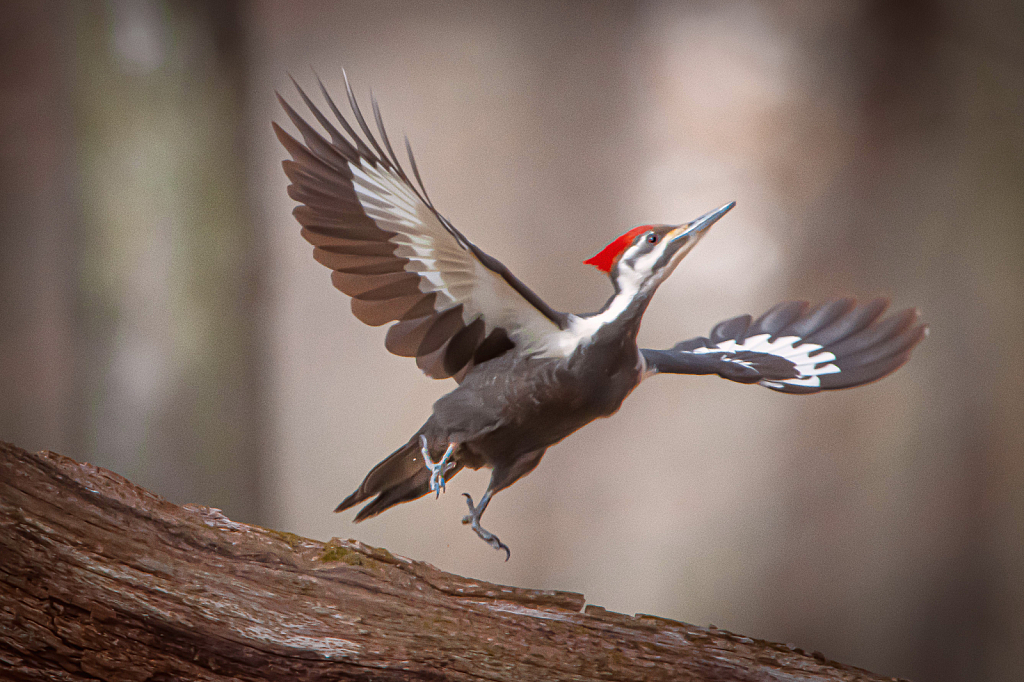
{"x":506,"y":413}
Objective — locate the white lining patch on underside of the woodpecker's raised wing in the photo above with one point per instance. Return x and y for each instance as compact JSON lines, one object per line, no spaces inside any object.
{"x":445,"y":267}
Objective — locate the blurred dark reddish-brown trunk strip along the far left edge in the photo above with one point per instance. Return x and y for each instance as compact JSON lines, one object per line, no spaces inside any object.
{"x":39,"y":229}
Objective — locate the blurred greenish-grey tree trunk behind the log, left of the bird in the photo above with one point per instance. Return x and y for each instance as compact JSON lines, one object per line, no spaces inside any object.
{"x":167,"y":262}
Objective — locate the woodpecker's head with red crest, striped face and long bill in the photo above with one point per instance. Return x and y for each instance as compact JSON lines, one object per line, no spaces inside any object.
{"x":643,"y":259}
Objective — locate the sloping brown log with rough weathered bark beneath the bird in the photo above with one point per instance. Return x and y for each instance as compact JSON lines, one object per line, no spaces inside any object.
{"x":103,"y":580}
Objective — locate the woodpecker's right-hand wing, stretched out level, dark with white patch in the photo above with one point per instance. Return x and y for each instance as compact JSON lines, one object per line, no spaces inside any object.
{"x":794,"y":350}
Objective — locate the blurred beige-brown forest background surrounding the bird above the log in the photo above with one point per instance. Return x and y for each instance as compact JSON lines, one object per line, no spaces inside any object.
{"x":161,"y":316}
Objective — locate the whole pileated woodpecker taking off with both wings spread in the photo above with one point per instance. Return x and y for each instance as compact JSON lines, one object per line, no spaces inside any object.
{"x":529,"y":376}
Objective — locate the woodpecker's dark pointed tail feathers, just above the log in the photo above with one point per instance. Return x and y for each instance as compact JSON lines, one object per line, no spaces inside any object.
{"x":400,"y":478}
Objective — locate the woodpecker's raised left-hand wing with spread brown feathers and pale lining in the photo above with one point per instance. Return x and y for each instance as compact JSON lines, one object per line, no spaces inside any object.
{"x":397,"y":257}
